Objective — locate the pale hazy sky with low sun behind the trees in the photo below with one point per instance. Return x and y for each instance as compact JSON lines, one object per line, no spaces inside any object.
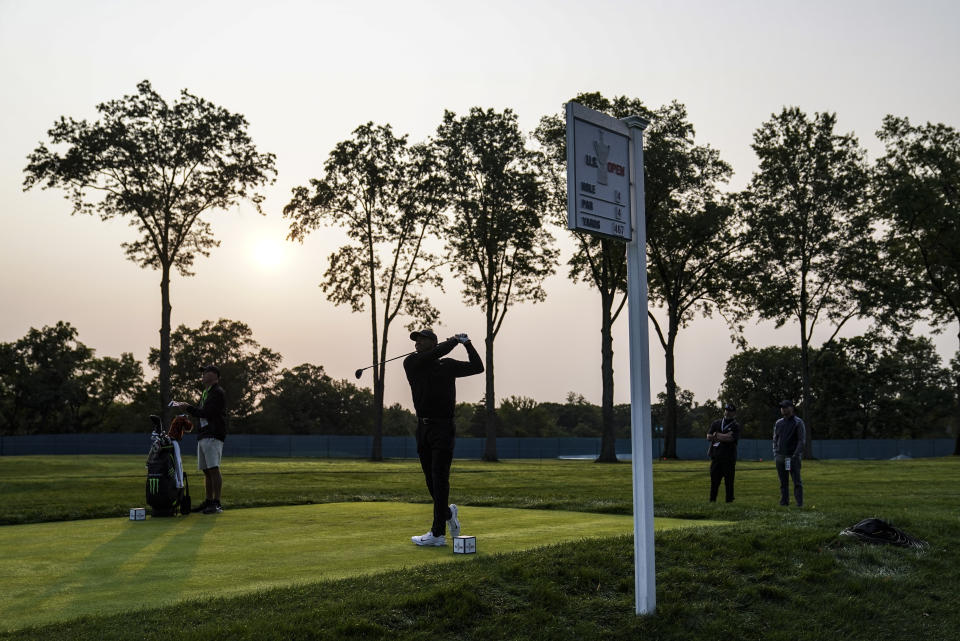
{"x":305,"y":74}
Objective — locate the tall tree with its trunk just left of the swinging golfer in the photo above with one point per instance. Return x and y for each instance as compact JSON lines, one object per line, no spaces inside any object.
{"x":388,"y":197}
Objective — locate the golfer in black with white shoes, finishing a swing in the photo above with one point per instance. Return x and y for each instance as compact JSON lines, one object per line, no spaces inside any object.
{"x":433,"y":384}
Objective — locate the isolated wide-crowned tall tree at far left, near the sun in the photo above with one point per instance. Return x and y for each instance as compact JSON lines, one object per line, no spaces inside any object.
{"x":161,"y":166}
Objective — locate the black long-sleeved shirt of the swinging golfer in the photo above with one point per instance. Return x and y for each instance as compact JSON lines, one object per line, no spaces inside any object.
{"x":433,"y":378}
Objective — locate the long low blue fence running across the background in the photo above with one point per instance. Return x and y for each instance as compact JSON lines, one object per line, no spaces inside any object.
{"x":466,"y":448}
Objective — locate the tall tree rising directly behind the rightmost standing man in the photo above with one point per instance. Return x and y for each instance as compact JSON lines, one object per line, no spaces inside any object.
{"x":811,"y":256}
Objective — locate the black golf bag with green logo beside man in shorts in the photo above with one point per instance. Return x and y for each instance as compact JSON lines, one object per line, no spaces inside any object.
{"x":168,"y":492}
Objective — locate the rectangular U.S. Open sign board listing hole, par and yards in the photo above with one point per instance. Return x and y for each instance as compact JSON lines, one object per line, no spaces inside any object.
{"x":598,"y":176}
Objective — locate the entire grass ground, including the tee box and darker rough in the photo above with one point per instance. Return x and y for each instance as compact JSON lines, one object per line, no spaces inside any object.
{"x":772,"y":573}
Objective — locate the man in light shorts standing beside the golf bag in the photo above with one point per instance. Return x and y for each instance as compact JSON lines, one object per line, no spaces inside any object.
{"x":212,"y":413}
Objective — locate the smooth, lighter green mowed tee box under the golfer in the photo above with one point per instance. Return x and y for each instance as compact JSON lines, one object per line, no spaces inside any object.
{"x":61,"y":571}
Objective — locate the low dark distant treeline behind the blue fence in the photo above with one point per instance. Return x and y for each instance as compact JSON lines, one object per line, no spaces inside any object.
{"x":50,"y":382}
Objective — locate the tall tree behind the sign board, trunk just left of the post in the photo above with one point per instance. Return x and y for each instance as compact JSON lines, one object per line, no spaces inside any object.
{"x":599,"y":262}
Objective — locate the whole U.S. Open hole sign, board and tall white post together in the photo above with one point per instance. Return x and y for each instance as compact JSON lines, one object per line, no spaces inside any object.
{"x":605,"y":197}
